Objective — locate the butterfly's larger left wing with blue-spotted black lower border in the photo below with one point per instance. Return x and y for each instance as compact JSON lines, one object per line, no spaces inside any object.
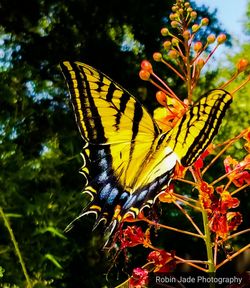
{"x":121,"y":137}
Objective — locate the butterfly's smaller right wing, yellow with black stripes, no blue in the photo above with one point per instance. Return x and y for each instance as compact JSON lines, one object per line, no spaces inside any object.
{"x":198,"y":126}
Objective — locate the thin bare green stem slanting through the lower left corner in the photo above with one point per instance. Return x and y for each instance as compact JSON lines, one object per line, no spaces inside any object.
{"x":17,"y":250}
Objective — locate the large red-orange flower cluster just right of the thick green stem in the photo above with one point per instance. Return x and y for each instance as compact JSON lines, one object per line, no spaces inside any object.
{"x":221,"y":221}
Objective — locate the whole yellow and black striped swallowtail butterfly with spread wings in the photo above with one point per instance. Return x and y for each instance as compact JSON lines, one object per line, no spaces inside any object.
{"x":128,"y":160}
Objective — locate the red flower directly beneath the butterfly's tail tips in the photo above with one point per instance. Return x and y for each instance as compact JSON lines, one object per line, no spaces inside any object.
{"x":132,"y":236}
